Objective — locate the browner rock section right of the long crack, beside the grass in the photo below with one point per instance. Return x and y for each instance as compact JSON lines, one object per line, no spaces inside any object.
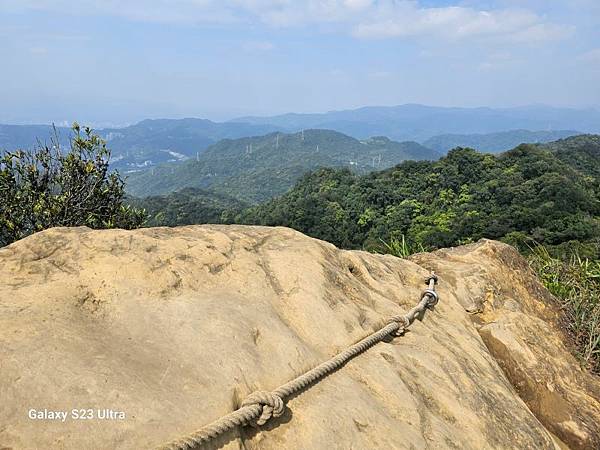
{"x":517,"y":320}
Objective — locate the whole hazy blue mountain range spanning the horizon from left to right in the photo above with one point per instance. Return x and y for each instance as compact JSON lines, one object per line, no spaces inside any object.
{"x":156,"y":141}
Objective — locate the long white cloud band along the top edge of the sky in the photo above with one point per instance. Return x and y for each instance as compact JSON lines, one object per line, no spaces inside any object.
{"x":362,"y":18}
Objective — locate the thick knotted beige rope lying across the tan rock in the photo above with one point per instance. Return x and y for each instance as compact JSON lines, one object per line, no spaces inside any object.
{"x":260,"y":406}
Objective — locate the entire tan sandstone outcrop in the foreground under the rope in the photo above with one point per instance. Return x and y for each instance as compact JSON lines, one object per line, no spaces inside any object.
{"x":174,"y":327}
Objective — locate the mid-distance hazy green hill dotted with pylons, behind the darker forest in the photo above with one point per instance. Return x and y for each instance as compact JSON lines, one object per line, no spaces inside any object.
{"x":255,"y":169}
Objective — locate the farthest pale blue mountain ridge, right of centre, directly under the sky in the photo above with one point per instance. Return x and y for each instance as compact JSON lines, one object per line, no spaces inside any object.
{"x":419,"y":123}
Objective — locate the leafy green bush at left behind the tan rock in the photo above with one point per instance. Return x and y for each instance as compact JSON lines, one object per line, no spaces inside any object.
{"x":45,"y":188}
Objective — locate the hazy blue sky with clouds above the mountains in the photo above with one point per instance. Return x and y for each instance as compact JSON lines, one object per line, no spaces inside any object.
{"x":116,"y":62}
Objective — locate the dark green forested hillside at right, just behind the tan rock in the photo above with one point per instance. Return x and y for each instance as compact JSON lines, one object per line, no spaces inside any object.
{"x":546,"y":193}
